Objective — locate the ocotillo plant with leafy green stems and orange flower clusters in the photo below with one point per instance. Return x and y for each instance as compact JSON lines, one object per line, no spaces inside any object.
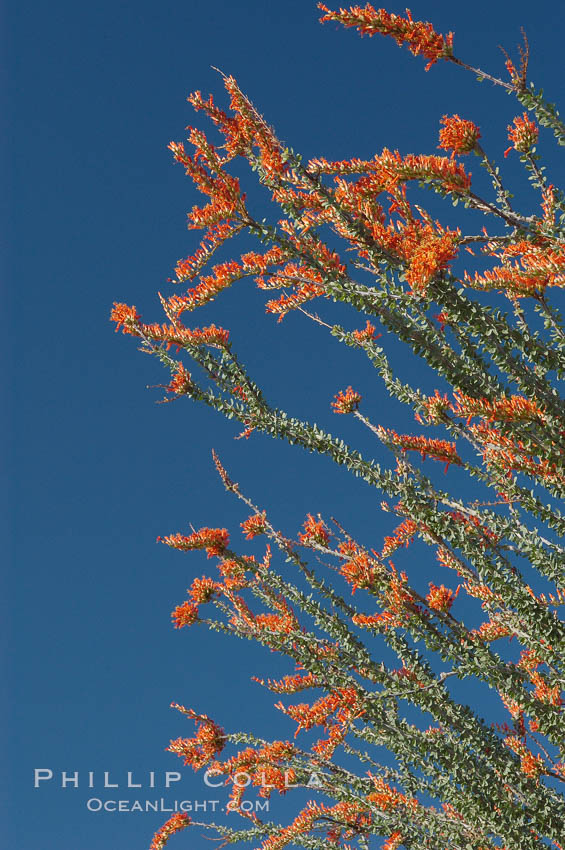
{"x":352,"y":232}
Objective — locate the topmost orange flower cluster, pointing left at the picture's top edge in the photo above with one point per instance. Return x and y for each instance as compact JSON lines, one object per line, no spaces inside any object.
{"x":419,"y":36}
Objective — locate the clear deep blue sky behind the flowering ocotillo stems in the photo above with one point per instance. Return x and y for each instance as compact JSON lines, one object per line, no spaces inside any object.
{"x":96,"y":469}
